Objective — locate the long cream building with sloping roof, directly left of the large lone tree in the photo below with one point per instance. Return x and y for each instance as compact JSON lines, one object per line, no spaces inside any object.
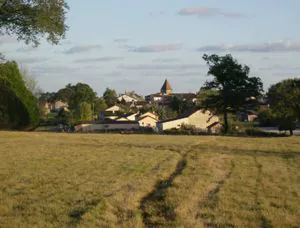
{"x":200,"y":119}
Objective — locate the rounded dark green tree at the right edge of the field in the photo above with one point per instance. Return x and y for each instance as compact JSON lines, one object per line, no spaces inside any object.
{"x":284,"y":100}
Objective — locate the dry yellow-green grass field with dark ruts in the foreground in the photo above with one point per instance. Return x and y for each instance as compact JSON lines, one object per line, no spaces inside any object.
{"x":69,"y":180}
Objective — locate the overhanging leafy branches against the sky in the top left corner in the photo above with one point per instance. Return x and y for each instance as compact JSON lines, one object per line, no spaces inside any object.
{"x":31,"y":19}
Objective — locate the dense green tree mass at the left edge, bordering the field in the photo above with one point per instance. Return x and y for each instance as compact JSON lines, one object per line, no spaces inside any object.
{"x":18,"y":107}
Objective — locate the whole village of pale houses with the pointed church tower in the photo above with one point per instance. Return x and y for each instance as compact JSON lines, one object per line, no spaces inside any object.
{"x":122,"y":117}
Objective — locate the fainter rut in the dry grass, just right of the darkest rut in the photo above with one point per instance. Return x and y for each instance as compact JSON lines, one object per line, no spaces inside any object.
{"x":212,"y":201}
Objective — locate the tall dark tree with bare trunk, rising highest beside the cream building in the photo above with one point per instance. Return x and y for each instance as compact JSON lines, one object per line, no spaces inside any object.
{"x":233,"y":89}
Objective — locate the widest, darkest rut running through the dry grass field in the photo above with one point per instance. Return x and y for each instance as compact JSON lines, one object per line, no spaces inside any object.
{"x":156,"y":211}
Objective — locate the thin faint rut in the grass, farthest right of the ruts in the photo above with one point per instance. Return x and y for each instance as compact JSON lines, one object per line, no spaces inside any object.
{"x":265,"y":223}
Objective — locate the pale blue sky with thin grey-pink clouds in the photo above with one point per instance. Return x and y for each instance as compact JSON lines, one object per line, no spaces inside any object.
{"x":135,"y":45}
